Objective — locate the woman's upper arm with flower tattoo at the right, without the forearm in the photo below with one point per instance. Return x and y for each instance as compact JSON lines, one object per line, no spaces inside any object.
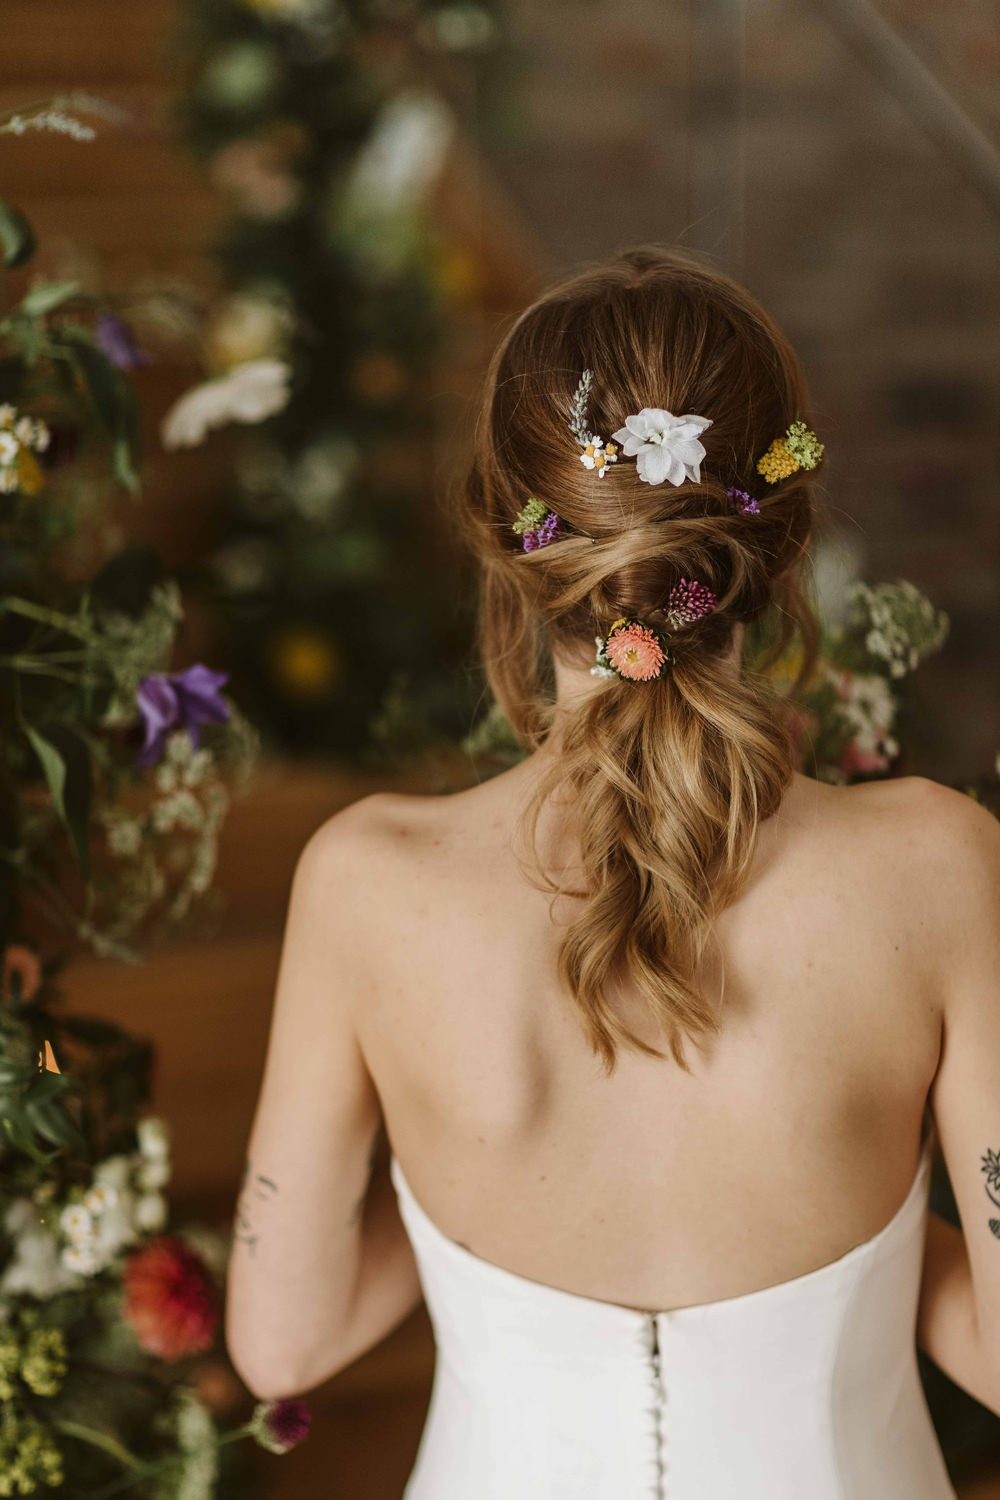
{"x":966,"y":1091}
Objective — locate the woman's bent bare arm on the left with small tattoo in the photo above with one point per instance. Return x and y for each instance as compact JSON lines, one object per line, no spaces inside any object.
{"x":322,"y":1270}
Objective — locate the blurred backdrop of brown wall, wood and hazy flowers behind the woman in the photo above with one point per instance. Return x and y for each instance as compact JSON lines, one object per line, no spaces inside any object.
{"x":365,"y":193}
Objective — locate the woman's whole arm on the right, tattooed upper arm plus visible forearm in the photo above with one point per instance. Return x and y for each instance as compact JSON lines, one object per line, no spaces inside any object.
{"x":959,"y":1322}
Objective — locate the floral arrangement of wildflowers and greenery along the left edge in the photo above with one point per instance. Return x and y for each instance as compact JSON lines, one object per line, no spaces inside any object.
{"x":116,"y":773}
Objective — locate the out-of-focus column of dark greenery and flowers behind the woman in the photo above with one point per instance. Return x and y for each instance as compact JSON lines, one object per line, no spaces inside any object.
{"x":325,"y":128}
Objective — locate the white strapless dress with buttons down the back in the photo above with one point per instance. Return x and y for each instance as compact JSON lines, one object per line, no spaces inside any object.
{"x":803,"y":1391}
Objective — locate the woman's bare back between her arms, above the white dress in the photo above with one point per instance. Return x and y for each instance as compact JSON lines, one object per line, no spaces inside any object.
{"x":794,"y":1138}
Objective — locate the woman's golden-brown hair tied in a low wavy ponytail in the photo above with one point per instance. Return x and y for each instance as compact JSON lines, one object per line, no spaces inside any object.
{"x":671,"y":778}
